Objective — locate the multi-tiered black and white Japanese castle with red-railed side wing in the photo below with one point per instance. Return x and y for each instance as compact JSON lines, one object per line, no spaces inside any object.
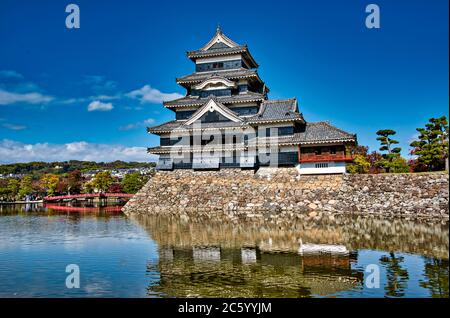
{"x":227,"y":121}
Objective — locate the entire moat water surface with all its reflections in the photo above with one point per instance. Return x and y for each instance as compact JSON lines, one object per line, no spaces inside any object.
{"x":149,"y":256}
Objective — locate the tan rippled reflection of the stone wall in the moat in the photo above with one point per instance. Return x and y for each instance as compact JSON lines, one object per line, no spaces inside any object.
{"x":353,"y":232}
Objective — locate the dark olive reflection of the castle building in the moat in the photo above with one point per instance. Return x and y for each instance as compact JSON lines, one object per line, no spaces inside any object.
{"x":184,"y":273}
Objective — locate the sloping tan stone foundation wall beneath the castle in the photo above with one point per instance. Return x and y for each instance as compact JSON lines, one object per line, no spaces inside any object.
{"x":274,"y":193}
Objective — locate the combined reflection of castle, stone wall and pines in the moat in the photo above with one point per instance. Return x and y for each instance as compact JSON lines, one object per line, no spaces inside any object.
{"x":199,"y":258}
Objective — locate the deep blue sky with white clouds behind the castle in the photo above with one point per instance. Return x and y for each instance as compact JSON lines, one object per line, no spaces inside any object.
{"x":89,"y":93}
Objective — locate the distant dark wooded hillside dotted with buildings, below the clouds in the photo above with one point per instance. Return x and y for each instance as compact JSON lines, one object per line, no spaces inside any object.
{"x":39,"y":168}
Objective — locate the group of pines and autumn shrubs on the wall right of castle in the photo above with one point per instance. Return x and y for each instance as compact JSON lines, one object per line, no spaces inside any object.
{"x":430,"y":151}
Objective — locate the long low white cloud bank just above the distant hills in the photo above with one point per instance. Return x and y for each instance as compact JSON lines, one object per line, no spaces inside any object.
{"x":13,"y":151}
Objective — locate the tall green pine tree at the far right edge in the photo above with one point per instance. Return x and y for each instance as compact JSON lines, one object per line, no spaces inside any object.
{"x":431,"y":148}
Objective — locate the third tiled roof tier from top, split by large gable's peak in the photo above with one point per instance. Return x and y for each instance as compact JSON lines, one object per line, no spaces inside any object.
{"x":188,"y":101}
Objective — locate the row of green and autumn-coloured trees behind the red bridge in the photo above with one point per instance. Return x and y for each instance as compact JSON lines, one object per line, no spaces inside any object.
{"x":14,"y":189}
